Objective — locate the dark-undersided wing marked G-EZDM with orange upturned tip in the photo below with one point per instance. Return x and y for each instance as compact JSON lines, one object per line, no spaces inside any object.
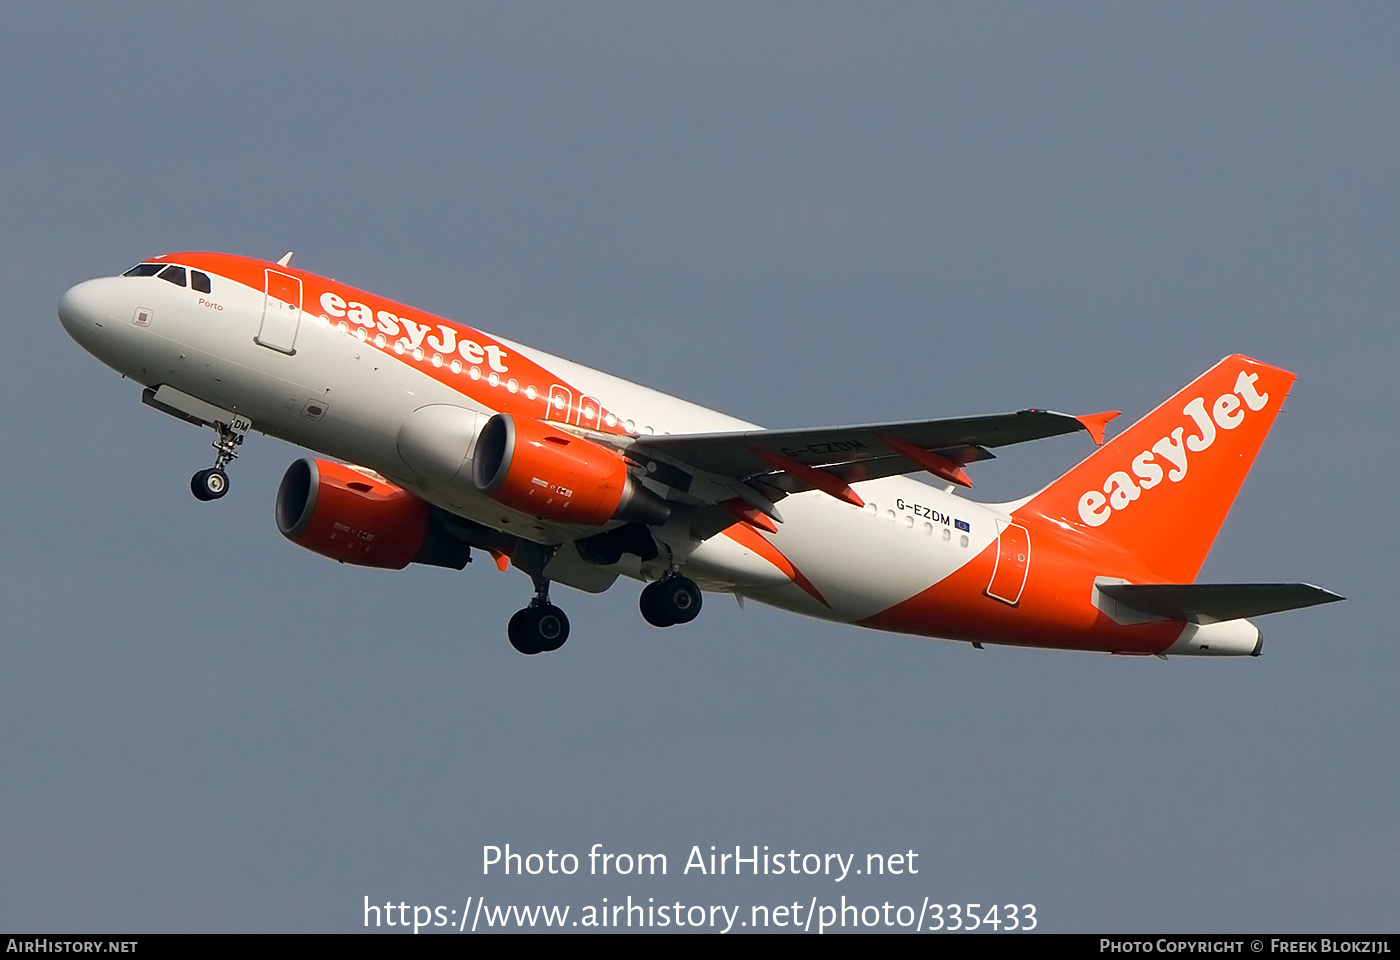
{"x":829,"y":458}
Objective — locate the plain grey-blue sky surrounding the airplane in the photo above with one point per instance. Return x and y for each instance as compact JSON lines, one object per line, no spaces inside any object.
{"x":799,"y":215}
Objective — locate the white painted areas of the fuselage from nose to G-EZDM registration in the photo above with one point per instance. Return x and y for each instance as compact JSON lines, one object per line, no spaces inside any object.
{"x":862,"y":560}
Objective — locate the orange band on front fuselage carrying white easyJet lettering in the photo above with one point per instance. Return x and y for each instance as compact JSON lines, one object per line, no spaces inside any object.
{"x":449,"y":337}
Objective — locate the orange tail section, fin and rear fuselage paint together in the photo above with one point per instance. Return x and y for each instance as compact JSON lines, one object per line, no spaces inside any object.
{"x":1146,"y":507}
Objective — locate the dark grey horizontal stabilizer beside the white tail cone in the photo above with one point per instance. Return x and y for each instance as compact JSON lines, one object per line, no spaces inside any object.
{"x":1216,"y":602}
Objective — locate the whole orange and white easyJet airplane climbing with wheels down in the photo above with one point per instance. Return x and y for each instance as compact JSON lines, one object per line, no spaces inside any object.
{"x":446,"y":440}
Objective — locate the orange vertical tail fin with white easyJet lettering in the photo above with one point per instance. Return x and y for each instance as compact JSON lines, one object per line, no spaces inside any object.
{"x":1163,"y":488}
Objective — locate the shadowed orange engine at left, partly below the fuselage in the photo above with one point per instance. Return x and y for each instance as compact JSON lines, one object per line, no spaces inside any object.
{"x":358,"y":518}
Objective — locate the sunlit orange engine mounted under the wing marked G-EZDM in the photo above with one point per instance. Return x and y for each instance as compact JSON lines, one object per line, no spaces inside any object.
{"x":555,"y":477}
